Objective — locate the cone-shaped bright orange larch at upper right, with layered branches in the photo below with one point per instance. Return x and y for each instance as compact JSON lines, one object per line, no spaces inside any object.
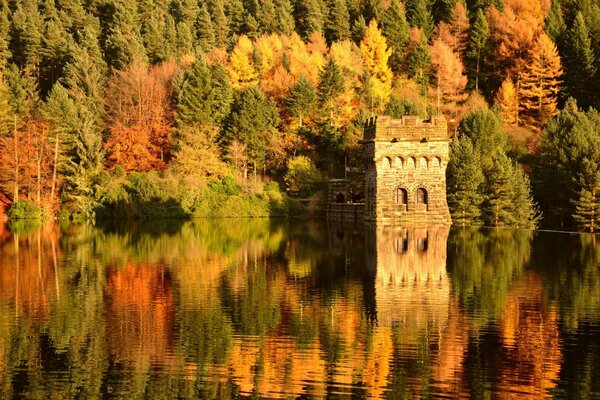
{"x":540,"y":82}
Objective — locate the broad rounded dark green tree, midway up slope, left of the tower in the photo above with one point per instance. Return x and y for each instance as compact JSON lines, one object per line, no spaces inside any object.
{"x":253,"y":121}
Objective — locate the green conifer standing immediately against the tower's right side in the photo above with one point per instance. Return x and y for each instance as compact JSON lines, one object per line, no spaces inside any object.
{"x":465,"y":179}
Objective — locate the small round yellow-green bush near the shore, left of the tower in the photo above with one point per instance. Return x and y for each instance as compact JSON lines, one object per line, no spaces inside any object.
{"x":302,"y":178}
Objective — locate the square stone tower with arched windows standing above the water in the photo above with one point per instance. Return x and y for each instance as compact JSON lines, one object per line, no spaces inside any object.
{"x":405,"y":170}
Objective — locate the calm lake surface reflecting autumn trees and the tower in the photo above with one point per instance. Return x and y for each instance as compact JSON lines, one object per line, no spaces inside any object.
{"x":273,"y":309}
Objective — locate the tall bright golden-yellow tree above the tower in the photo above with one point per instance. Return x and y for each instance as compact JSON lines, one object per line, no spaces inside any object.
{"x":376,"y":53}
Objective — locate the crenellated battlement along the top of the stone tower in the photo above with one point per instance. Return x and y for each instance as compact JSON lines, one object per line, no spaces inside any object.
{"x":407,"y":128}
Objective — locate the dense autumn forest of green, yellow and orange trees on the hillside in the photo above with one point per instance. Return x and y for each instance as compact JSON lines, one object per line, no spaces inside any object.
{"x":229,"y":107}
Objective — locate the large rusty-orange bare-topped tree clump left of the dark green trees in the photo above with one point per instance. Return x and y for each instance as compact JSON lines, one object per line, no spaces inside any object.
{"x":140,"y":116}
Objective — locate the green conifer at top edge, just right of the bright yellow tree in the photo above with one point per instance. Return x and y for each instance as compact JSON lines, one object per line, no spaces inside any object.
{"x":396,"y":30}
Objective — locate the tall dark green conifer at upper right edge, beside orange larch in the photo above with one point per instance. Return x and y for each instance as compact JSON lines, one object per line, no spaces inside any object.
{"x":580,"y":63}
